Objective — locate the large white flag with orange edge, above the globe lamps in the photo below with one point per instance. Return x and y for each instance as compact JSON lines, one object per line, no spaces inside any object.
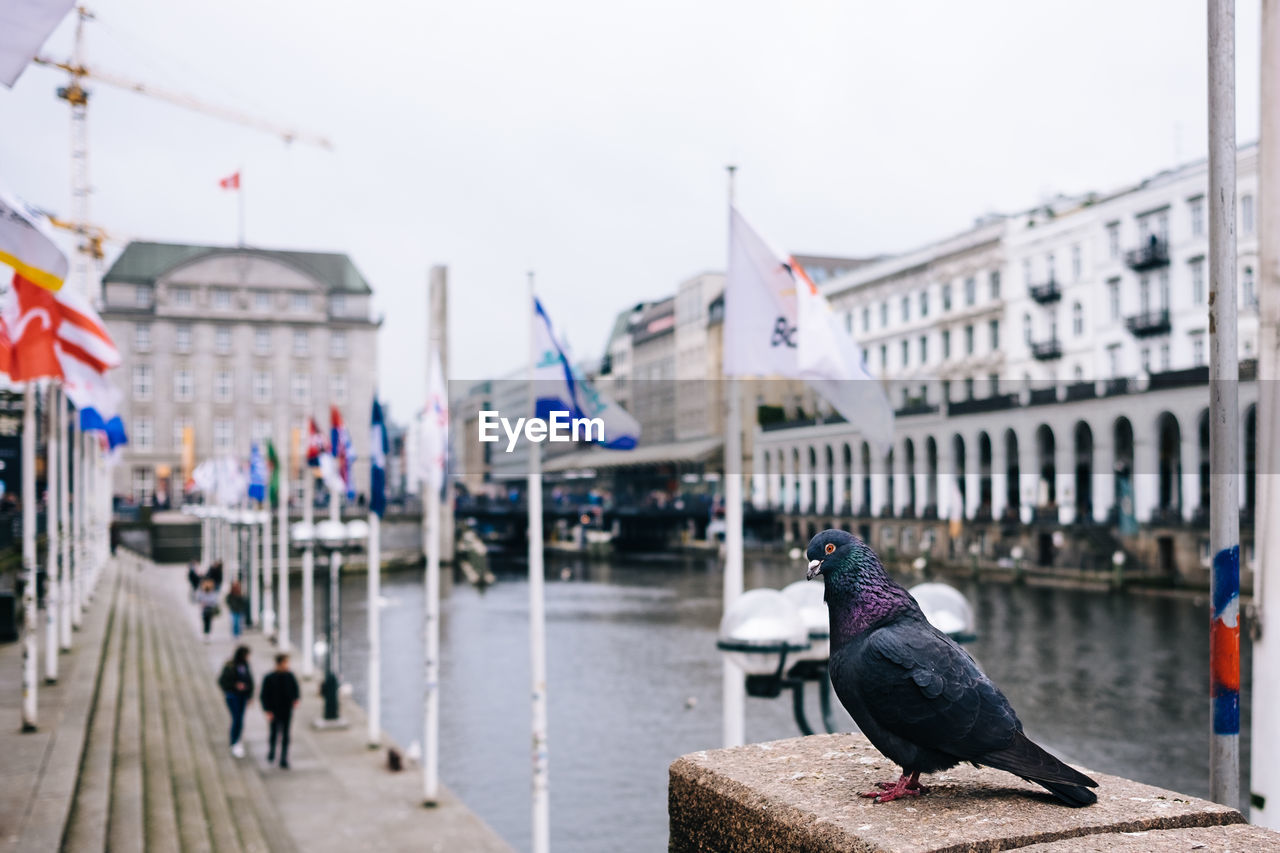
{"x":778,"y":323}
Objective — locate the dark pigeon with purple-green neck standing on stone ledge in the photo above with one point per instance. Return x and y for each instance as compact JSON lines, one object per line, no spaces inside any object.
{"x":917,"y":696}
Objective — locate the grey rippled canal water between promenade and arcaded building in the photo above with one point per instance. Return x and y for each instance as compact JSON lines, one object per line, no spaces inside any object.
{"x":1118,"y":683}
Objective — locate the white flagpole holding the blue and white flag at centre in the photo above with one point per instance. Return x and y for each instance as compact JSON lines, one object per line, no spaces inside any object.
{"x":537,"y":609}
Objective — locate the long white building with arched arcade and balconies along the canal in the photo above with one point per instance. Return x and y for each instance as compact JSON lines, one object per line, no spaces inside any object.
{"x":1049,"y":372}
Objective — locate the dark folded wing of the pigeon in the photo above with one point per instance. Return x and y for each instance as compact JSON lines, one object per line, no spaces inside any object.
{"x":920,"y":686}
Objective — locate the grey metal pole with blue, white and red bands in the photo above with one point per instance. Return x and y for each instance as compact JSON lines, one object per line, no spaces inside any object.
{"x":1224,"y":773}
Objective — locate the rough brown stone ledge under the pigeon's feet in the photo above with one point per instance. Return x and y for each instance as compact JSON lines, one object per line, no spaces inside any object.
{"x":801,"y":796}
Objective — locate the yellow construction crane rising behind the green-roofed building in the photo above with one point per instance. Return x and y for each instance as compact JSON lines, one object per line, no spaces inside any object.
{"x":77,"y":98}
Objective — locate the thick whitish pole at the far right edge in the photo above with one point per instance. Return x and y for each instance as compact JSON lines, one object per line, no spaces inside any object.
{"x":1265,"y":784}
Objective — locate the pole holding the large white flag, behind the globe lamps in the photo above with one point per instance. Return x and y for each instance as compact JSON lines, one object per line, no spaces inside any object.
{"x":735,"y":692}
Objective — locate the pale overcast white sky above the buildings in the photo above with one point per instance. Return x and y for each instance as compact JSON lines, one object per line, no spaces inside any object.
{"x":587,"y":142}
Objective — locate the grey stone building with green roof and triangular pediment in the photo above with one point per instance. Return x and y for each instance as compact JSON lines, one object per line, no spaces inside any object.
{"x":239,"y":345}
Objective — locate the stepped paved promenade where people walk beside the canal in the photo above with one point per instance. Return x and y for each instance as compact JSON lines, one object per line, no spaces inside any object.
{"x":132,"y":751}
